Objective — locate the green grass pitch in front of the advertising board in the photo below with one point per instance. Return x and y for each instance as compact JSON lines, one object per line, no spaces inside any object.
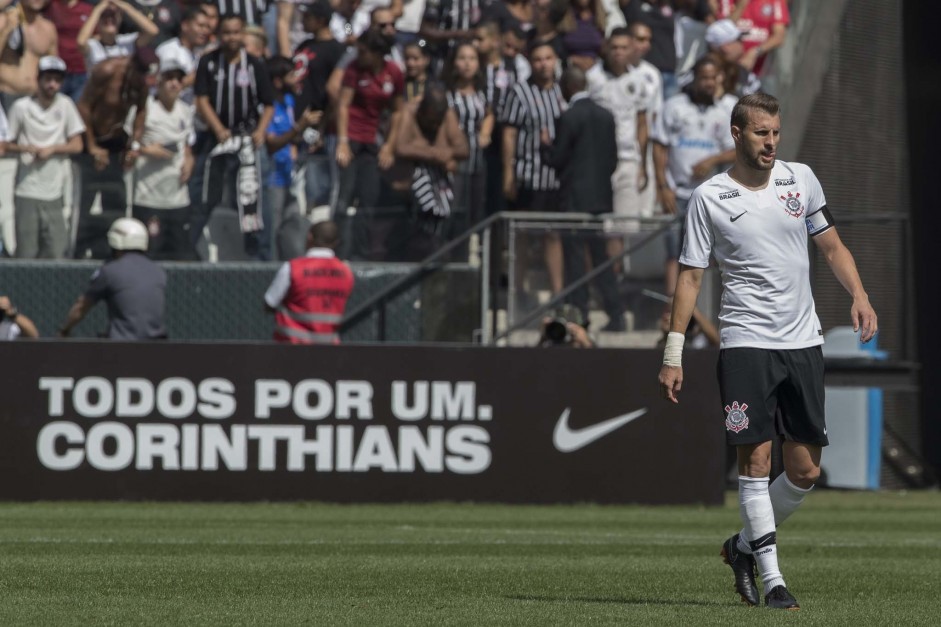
{"x":849,"y":558}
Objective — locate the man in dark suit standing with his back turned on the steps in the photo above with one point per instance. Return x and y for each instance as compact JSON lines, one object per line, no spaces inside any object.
{"x":585,"y":156}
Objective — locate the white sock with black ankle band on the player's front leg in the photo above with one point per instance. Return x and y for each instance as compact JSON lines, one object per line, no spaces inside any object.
{"x":758,"y":515}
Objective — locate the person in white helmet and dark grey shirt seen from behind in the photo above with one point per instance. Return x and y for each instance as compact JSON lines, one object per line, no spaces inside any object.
{"x":133,"y":286}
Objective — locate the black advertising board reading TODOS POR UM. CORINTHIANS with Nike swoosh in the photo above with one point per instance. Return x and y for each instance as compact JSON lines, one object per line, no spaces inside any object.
{"x":236,"y":422}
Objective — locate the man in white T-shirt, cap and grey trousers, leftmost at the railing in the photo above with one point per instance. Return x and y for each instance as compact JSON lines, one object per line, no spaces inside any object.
{"x":45,"y":130}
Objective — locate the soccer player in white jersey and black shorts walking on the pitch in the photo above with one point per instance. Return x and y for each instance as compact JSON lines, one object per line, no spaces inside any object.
{"x":755,"y":221}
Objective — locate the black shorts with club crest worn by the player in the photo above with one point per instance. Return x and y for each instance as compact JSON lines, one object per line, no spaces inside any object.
{"x":772,"y":392}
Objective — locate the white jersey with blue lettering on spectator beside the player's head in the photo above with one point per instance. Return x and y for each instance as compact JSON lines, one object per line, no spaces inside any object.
{"x":691,"y":132}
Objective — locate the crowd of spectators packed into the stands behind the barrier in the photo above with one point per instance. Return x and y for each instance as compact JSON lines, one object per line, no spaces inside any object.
{"x":409,"y":119}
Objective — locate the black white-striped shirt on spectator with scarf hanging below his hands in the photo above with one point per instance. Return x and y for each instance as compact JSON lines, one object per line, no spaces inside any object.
{"x":235,"y":90}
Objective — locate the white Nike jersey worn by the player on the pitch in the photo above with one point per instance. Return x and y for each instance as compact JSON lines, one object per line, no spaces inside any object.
{"x":759,"y":240}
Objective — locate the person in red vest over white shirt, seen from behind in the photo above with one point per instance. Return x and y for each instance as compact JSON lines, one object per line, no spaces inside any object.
{"x":309,"y":293}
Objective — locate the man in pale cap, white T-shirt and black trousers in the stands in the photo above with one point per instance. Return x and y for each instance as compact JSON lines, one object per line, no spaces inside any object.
{"x":165,"y":164}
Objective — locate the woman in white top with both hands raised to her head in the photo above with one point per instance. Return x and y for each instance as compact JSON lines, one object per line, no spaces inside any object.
{"x":99,"y":39}
